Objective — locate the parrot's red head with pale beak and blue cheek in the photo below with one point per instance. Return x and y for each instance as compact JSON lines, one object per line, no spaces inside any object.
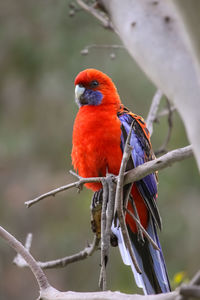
{"x":95,"y":88}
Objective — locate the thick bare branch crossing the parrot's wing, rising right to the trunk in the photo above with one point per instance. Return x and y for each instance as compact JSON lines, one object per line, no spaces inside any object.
{"x":158,"y":164}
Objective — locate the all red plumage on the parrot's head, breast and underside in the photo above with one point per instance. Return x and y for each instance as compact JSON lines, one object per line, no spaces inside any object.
{"x":97,"y":138}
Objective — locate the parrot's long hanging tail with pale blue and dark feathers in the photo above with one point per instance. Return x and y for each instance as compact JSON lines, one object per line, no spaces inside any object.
{"x":154,"y":278}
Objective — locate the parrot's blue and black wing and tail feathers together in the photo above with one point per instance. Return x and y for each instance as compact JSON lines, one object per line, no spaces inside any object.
{"x":154,"y":278}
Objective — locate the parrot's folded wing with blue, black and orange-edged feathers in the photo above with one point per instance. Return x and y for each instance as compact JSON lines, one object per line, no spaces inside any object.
{"x":141,"y":153}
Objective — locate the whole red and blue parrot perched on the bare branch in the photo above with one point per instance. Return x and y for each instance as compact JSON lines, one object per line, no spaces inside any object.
{"x":100,"y":130}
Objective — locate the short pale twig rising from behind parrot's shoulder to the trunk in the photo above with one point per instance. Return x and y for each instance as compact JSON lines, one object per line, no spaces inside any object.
{"x":153,"y":110}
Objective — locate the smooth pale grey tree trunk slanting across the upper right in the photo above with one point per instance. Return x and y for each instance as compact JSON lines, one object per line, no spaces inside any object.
{"x":153,"y":33}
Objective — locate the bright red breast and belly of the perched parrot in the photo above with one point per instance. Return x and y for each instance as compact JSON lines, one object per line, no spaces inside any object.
{"x":96,"y":142}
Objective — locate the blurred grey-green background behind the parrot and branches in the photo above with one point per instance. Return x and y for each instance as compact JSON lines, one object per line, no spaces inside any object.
{"x":39,"y":59}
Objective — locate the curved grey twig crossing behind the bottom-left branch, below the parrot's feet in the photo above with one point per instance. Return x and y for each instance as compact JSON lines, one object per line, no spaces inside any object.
{"x":62,"y":262}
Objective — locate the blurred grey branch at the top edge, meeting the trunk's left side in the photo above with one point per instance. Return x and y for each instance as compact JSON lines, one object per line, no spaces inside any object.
{"x":104,"y":20}
